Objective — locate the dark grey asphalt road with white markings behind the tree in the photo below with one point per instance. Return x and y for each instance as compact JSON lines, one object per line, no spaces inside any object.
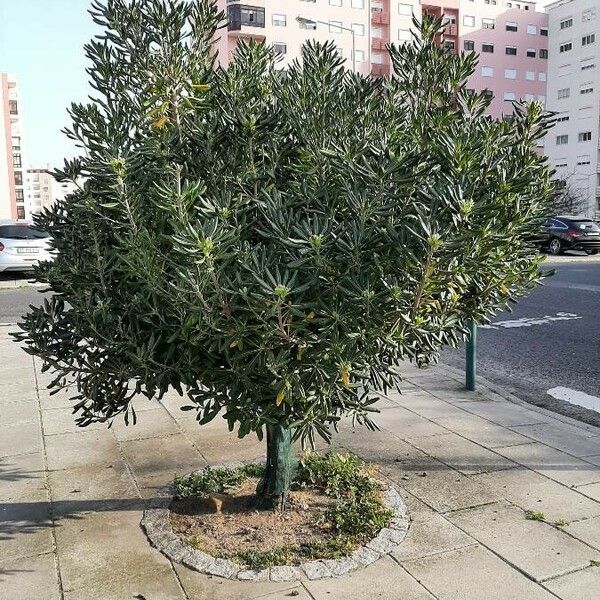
{"x":550,"y":340}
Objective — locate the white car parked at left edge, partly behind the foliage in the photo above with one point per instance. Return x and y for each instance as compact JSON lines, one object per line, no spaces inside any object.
{"x":22,"y":246}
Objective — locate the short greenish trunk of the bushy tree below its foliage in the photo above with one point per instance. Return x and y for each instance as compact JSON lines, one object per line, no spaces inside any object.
{"x":273,"y":488}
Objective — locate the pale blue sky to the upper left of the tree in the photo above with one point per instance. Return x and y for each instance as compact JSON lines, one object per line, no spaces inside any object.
{"x":41,"y":44}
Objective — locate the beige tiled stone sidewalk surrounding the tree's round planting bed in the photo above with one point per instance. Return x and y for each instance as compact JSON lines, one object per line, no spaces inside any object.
{"x":469,"y":466}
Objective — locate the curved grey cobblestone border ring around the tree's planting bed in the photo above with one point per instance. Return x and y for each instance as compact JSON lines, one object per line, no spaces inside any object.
{"x":157,"y":525}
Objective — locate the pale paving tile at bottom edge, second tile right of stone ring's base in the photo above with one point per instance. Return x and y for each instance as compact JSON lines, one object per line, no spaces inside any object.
{"x":473,"y":573}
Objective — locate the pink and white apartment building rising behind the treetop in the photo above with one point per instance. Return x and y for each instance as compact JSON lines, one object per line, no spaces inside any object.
{"x":511,"y":37}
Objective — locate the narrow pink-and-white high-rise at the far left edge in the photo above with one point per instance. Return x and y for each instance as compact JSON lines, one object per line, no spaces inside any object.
{"x":14,"y":202}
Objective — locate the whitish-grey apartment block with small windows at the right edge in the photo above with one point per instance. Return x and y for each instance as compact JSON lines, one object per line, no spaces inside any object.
{"x":573,"y":145}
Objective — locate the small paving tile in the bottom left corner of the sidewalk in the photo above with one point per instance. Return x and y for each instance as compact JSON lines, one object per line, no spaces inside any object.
{"x":32,"y":578}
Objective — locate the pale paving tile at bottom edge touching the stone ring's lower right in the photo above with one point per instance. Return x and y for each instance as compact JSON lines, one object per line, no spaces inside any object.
{"x":383,"y":579}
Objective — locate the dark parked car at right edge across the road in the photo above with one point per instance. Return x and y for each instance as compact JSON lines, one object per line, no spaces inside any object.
{"x":570,"y":233}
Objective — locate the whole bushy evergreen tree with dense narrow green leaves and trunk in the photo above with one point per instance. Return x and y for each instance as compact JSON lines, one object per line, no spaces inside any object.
{"x":272,"y":243}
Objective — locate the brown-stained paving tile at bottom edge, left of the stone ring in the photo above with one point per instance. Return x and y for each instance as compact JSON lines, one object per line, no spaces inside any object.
{"x":106,"y":555}
